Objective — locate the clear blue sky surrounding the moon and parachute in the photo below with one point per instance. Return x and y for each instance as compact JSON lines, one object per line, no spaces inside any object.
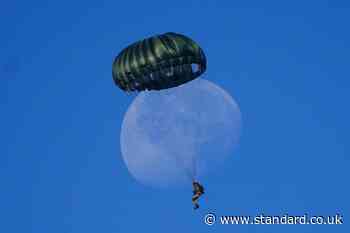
{"x":285,"y":62}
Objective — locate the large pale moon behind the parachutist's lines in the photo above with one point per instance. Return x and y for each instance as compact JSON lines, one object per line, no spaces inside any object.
{"x":172,"y":136}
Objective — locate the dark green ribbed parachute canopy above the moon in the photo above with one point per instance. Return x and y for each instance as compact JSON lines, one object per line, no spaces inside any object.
{"x":159,"y":62}
